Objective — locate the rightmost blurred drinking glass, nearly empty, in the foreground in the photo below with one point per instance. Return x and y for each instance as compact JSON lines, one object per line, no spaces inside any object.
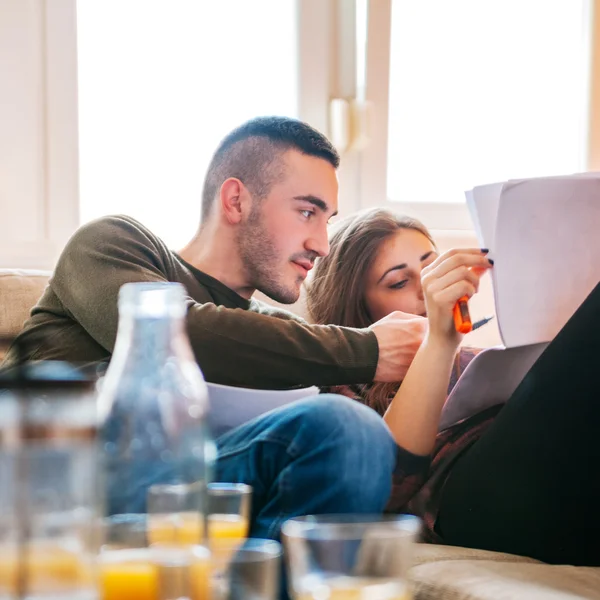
{"x":349,"y":557}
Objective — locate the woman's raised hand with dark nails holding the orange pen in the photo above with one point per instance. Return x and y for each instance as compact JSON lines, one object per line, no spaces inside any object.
{"x":451,"y":276}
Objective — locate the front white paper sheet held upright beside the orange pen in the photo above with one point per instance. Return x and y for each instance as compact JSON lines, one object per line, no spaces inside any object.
{"x":547,"y":255}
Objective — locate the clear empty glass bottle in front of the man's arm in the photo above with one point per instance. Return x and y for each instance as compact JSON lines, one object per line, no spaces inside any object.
{"x":153,"y":403}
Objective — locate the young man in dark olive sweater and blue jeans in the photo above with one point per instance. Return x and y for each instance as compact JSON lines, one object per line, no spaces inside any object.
{"x":269,"y":193}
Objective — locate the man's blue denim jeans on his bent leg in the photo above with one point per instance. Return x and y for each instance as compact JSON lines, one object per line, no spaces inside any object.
{"x":326,"y":454}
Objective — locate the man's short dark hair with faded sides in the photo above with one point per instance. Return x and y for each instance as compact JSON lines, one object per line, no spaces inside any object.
{"x":253,"y":154}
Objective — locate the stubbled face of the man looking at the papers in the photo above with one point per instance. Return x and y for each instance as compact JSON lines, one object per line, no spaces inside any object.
{"x":286,"y":231}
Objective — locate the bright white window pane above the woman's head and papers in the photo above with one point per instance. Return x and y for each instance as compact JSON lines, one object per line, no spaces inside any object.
{"x":481,"y":92}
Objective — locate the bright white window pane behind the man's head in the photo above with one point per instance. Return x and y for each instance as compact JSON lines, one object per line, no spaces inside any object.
{"x":160,"y":83}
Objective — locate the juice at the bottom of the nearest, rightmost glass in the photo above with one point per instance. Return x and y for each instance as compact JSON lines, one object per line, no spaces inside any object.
{"x":355,"y":588}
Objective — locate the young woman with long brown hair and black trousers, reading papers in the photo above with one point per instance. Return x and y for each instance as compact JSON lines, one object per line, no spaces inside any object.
{"x":522,"y":478}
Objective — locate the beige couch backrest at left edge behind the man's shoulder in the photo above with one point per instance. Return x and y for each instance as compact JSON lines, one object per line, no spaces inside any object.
{"x":20,"y":289}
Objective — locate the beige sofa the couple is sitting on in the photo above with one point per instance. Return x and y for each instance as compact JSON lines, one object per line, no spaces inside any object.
{"x":439,"y":572}
